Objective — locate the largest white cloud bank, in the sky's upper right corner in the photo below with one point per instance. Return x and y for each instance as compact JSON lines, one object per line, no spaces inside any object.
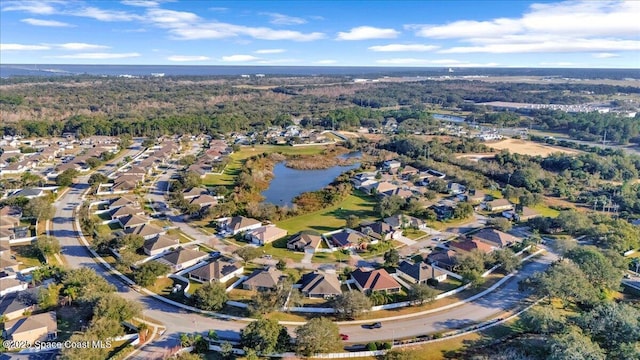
{"x":569,"y":26}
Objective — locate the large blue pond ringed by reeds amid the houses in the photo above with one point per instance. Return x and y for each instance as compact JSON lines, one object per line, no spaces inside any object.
{"x":288,"y":183}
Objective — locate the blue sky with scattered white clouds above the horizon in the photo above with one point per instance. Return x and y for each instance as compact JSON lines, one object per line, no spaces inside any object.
{"x":333,"y":33}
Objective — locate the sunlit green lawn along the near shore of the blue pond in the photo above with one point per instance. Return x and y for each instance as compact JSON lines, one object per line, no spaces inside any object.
{"x":333,"y":218}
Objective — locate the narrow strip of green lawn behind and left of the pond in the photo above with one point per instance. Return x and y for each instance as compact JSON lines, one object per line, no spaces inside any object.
{"x":237,"y":159}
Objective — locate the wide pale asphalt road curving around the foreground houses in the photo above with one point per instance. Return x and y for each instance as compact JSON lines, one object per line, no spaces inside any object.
{"x":179,"y":321}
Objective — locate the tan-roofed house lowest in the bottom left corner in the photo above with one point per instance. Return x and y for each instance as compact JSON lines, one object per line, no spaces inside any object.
{"x":39,"y":327}
